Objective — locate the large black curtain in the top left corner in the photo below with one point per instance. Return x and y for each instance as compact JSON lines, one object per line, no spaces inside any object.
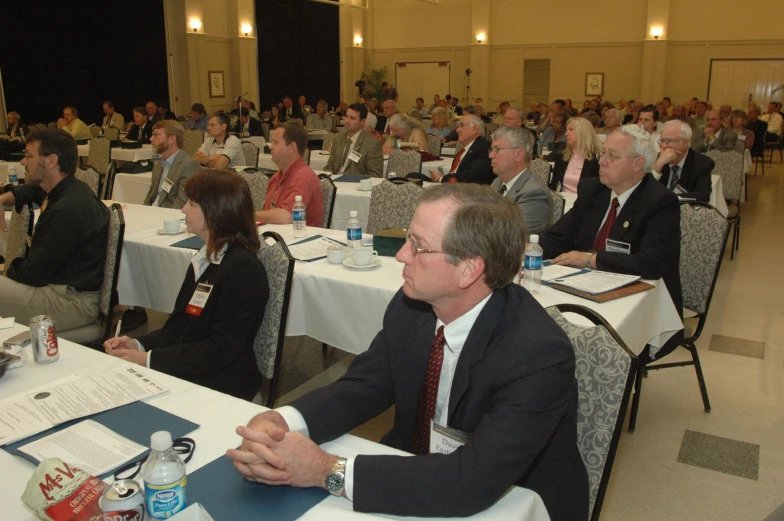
{"x":82,"y":53}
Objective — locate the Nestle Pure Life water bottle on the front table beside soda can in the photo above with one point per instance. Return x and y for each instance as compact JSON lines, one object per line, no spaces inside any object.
{"x":164,"y":478}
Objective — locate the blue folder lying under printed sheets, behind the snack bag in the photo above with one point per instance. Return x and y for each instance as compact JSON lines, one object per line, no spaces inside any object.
{"x":136,"y":421}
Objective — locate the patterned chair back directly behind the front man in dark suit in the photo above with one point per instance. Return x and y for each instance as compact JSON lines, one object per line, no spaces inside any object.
{"x":604,"y":370}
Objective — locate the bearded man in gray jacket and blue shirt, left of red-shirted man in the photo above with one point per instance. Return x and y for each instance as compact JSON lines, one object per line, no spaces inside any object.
{"x":167,"y":189}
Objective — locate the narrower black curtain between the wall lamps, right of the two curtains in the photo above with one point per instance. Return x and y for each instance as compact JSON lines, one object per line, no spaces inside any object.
{"x":299,"y":51}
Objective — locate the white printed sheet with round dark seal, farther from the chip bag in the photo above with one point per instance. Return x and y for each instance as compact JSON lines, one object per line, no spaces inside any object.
{"x":95,"y":394}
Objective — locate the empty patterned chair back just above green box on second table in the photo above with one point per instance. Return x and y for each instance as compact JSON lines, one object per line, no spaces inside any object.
{"x":392,"y":205}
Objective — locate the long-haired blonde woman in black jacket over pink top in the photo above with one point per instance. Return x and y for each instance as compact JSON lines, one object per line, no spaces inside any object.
{"x":580,"y":159}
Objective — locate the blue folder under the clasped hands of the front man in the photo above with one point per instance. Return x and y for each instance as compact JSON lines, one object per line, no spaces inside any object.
{"x":227,"y":496}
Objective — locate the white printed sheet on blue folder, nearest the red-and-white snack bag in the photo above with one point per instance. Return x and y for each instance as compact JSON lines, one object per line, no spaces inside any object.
{"x":88,"y":445}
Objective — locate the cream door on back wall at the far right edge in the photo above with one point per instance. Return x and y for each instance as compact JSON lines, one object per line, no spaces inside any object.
{"x":737,"y":82}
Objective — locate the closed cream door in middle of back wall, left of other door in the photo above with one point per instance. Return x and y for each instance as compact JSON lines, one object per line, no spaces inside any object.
{"x":420,"y":80}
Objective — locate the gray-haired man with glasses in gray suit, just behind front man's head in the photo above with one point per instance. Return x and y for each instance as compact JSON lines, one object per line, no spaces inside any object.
{"x":509,"y":157}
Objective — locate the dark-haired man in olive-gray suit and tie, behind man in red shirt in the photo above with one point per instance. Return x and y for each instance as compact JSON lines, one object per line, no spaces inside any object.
{"x":355,"y":151}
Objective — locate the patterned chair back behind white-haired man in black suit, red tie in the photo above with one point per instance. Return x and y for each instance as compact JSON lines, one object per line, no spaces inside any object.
{"x":704,"y":233}
